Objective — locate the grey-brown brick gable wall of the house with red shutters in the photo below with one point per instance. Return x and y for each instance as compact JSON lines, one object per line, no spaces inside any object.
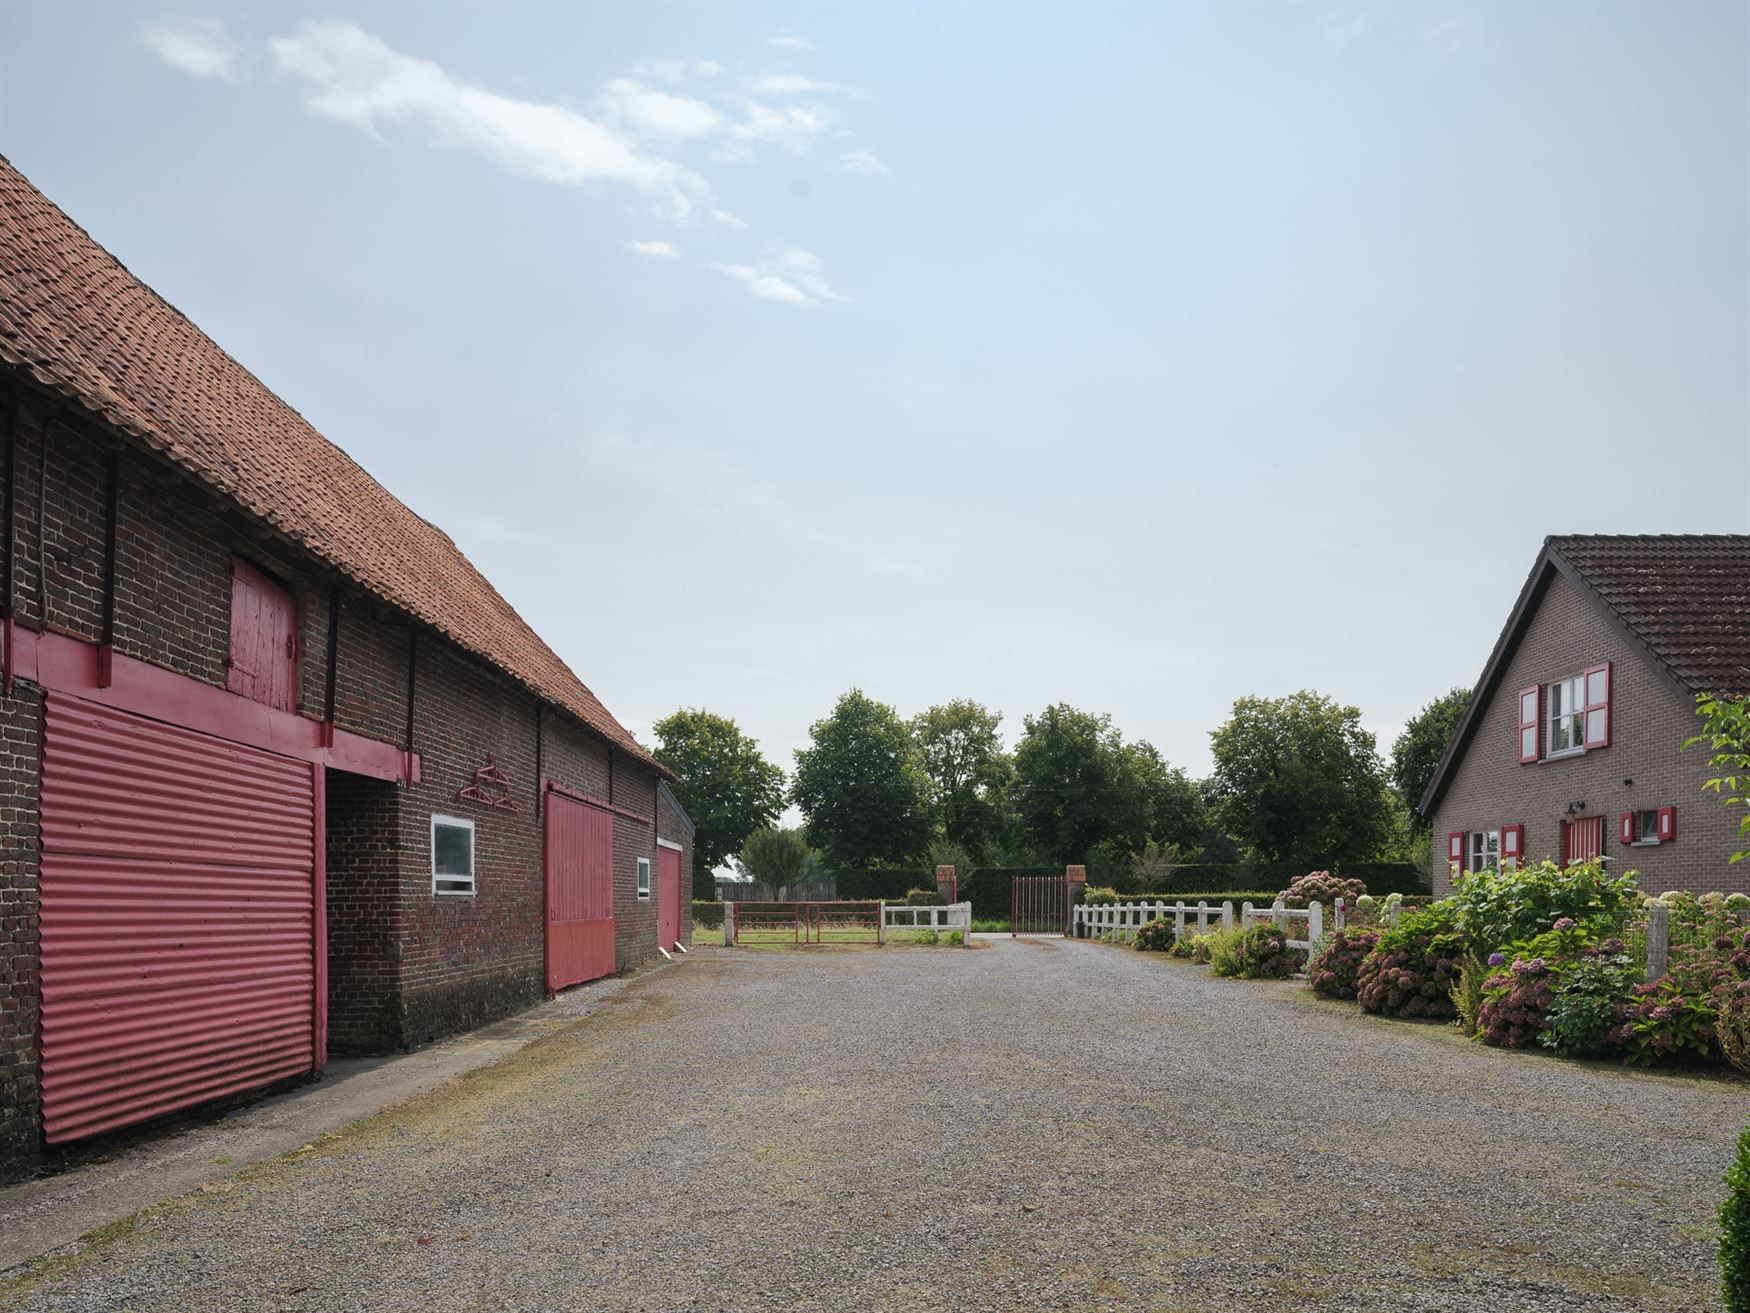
{"x":1644,"y":766}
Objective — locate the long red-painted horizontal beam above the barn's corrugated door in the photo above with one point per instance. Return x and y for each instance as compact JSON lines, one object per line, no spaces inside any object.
{"x":127,"y":684}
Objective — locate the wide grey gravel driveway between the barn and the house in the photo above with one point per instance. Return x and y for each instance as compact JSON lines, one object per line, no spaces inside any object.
{"x":1023,"y":1127}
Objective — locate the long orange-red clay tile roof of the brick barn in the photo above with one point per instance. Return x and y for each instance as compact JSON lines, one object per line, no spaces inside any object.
{"x":88,"y":330}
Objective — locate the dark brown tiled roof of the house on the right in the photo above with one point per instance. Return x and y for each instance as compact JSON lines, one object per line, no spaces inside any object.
{"x":1686,"y":596}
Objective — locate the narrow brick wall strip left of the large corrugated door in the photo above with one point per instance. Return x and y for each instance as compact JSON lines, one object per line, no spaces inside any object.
{"x":20,"y":978}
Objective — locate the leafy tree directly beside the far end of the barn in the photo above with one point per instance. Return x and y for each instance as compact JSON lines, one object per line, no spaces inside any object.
{"x":724,"y":782}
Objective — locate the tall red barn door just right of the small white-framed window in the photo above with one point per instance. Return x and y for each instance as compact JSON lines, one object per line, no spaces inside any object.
{"x":580,"y":888}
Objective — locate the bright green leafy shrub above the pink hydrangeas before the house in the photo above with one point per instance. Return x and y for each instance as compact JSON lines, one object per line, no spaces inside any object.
{"x":1497,"y":908}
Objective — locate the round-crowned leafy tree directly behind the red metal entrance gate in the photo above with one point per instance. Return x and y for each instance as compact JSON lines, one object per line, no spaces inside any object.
{"x":1079,"y":787}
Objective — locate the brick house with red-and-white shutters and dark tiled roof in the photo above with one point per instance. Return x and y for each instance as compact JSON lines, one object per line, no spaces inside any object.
{"x":1571,"y":745}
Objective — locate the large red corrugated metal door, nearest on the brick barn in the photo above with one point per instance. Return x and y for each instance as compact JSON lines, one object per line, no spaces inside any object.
{"x":179,"y":918}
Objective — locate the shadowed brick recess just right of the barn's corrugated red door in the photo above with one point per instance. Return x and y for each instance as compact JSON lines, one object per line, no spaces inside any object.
{"x":365,"y":902}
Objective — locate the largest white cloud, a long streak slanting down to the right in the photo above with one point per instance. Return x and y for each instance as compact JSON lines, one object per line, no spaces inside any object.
{"x":358,"y":80}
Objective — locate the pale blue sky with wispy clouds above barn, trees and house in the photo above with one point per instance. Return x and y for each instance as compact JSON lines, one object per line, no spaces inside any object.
{"x":1138,"y":358}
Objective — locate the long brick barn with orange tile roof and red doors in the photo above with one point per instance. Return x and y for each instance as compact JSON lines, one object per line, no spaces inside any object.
{"x":281,"y":773}
